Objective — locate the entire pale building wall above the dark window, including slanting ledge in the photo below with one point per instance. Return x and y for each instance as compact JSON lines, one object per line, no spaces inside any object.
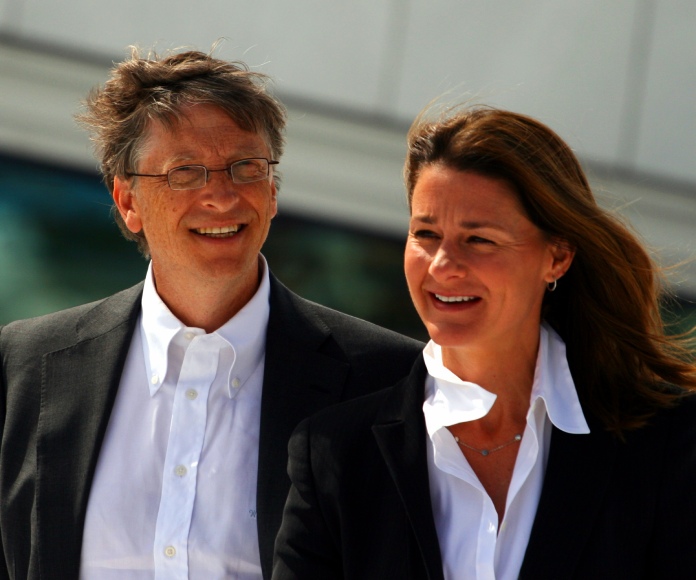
{"x":615,"y":78}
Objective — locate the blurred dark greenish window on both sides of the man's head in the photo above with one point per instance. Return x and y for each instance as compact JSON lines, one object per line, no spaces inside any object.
{"x":59,"y":247}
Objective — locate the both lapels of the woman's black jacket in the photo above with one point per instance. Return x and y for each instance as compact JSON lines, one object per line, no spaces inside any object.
{"x":401,"y":437}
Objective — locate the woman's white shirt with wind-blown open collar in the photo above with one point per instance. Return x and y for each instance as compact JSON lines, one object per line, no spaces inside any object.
{"x":473,"y":544}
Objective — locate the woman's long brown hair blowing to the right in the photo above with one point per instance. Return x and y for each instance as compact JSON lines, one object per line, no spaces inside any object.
{"x":607,"y":306}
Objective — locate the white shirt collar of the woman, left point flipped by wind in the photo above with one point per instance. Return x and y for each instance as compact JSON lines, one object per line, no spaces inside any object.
{"x":449,"y":400}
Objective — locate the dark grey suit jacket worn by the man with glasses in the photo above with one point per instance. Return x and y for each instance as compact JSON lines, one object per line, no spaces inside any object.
{"x":58,"y":382}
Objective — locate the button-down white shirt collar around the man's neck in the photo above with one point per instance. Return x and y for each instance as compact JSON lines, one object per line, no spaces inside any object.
{"x":245,"y":332}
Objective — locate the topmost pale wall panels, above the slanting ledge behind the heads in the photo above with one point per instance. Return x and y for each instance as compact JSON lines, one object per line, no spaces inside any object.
{"x":617,"y":78}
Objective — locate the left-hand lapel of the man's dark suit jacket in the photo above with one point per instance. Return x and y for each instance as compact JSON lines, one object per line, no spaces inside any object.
{"x":78,"y":387}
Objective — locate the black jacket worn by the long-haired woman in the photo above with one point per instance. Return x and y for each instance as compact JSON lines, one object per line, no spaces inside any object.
{"x":360,"y":506}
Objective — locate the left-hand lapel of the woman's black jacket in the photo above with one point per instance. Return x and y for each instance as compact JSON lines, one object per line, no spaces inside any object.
{"x":401,"y":437}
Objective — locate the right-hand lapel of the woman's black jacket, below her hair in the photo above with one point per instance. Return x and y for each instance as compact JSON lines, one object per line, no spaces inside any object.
{"x":570,"y":501}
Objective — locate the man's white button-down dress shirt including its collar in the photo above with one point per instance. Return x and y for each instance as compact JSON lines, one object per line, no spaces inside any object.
{"x":174,"y":492}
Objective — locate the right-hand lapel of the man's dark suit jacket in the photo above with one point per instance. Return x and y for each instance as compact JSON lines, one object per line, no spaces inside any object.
{"x":299,"y":380}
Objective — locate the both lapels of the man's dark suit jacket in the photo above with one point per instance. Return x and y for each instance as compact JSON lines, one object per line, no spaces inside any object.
{"x":78,"y":389}
